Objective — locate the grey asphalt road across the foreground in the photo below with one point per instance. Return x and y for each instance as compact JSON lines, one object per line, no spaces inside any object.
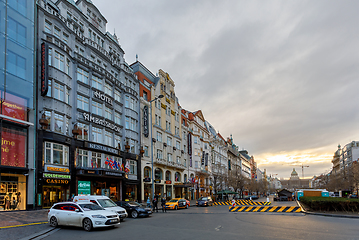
{"x":218,"y":223}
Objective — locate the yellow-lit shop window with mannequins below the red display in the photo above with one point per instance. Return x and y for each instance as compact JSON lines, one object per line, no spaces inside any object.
{"x":12,"y":192}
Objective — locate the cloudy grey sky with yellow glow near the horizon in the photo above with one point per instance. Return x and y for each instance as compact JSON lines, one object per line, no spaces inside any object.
{"x":281,"y":77}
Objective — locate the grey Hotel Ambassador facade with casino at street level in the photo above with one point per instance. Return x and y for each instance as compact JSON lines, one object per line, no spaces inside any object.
{"x":88,"y":130}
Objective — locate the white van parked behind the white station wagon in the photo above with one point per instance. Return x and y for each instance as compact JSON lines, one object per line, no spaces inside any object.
{"x":104,"y":202}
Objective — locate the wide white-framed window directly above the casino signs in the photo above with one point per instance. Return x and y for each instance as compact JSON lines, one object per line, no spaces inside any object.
{"x":56,"y":153}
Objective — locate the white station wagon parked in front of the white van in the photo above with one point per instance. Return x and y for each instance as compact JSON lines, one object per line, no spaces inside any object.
{"x":84,"y":214}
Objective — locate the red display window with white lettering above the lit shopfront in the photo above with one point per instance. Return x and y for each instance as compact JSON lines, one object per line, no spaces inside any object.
{"x":13,"y":145}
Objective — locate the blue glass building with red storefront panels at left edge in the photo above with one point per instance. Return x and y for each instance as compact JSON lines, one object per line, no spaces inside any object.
{"x":17,"y":117}
